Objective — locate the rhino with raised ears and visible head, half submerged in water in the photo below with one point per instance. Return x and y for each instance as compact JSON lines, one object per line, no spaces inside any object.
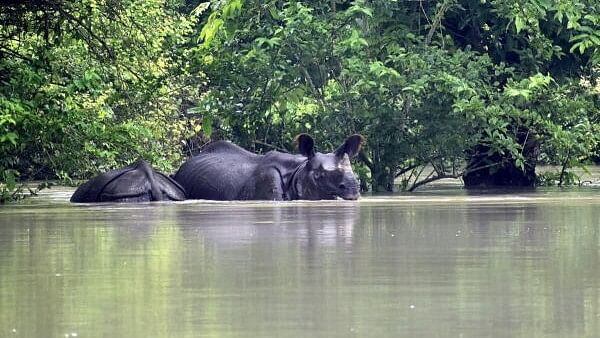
{"x":225,"y":171}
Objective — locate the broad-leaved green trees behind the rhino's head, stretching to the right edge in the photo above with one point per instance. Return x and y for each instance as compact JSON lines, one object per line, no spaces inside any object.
{"x":424,"y":82}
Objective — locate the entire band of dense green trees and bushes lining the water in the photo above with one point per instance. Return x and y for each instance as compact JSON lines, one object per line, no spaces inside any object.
{"x":479,"y":89}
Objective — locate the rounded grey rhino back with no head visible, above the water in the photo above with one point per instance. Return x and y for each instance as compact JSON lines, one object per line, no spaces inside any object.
{"x":135,"y":183}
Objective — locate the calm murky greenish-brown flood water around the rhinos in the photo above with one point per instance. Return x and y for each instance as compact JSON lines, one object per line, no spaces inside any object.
{"x":433,"y":264}
